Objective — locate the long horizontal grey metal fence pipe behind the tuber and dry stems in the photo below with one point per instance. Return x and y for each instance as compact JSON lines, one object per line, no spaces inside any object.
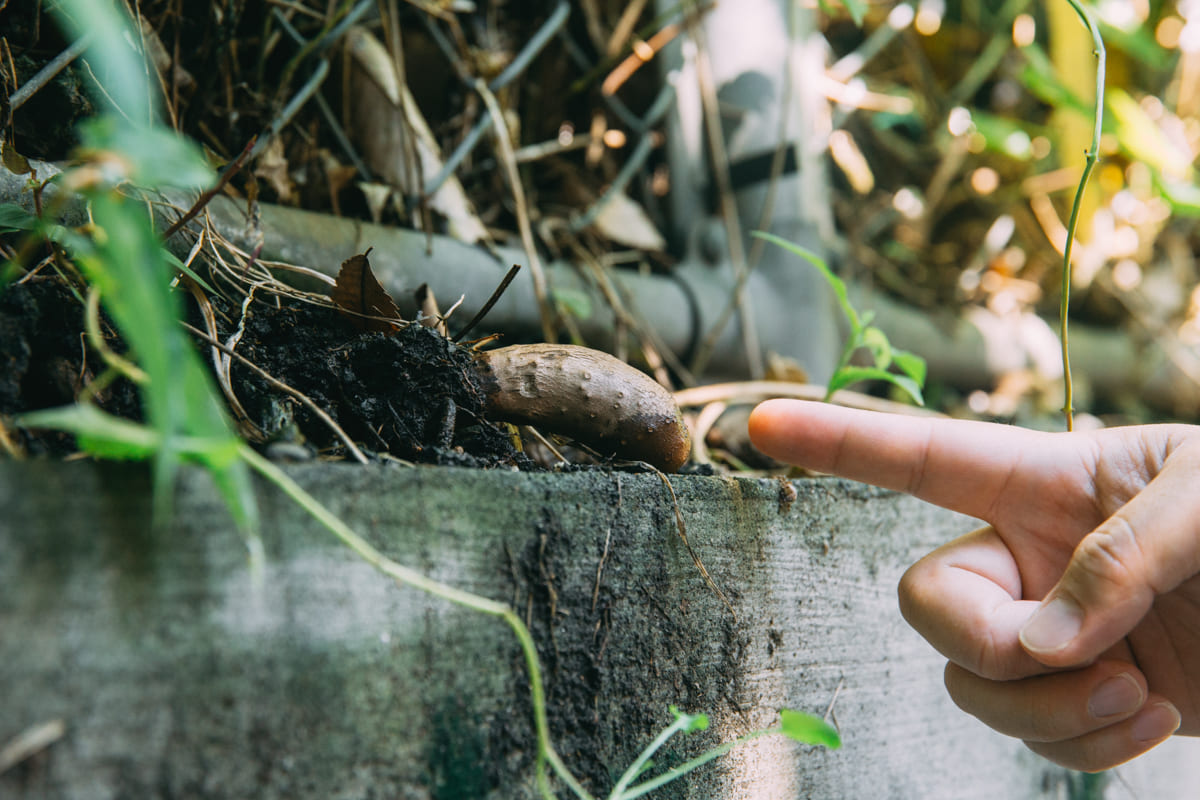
{"x":971,"y":353}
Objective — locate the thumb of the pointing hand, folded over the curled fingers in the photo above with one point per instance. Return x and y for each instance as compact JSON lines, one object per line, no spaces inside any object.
{"x":1148,"y":549}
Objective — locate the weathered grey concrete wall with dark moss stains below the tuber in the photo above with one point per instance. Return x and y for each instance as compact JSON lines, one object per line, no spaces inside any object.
{"x":177,"y":677}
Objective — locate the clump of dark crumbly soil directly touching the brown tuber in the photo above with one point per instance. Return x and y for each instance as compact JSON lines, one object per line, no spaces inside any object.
{"x":415,"y":395}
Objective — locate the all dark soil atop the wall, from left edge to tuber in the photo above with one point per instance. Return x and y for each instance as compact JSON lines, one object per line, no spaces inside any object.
{"x":413,"y":395}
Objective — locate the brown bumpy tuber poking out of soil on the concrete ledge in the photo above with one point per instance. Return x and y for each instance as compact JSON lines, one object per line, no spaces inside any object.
{"x":590,"y":396}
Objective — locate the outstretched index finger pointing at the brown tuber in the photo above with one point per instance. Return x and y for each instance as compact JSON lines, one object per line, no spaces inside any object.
{"x":958,"y":465}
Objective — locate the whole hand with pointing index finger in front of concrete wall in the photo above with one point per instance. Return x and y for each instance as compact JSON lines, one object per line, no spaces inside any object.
{"x":1072,"y":621}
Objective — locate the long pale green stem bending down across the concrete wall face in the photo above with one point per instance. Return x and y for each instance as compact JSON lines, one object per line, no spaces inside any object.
{"x":418,"y":581}
